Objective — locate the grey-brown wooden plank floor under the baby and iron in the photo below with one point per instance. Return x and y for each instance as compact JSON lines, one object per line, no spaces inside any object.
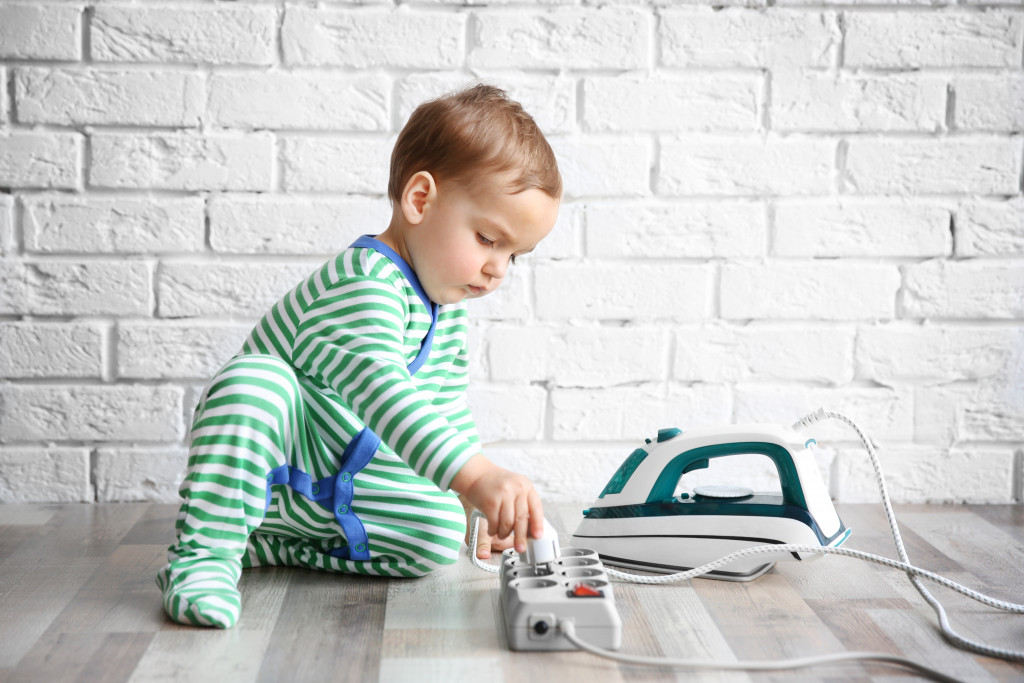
{"x":78,"y":603}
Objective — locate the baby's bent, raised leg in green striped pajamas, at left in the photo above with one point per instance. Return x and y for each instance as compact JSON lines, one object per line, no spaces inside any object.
{"x":249,"y":422}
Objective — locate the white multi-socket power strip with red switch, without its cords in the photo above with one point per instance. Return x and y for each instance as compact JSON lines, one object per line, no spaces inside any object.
{"x":573,"y":586}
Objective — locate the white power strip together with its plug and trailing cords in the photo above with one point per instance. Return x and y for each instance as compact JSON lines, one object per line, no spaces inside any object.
{"x":546,"y":607}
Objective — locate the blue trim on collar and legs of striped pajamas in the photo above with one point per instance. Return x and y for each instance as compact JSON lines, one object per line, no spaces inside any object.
{"x":335,"y":493}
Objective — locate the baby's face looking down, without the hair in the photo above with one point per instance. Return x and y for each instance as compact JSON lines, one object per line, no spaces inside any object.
{"x":468,"y":239}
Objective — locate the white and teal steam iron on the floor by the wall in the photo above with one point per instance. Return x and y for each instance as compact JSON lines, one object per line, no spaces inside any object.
{"x":638,"y":522}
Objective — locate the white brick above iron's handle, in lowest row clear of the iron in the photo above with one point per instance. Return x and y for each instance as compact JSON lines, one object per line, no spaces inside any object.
{"x":764,"y":353}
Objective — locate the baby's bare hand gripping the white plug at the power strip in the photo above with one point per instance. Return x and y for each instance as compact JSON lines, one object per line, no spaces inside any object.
{"x":508,"y":501}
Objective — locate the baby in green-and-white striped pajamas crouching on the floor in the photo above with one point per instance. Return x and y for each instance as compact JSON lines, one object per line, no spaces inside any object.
{"x":335,"y":439}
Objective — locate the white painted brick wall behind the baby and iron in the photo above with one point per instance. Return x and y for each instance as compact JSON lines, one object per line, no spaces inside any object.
{"x":770,"y":207}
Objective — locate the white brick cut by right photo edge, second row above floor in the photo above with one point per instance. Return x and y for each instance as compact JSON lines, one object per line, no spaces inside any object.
{"x":987,"y":411}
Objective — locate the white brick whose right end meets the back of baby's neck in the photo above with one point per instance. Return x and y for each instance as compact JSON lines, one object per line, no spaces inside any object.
{"x":269,"y":225}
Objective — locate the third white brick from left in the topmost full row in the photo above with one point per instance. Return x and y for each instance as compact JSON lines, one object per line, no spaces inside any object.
{"x":393,"y":38}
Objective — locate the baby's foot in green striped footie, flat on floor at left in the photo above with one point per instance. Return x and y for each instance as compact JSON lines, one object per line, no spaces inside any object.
{"x":202,"y":592}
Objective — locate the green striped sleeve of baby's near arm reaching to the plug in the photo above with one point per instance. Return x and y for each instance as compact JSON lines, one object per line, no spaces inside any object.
{"x":351,"y":339}
